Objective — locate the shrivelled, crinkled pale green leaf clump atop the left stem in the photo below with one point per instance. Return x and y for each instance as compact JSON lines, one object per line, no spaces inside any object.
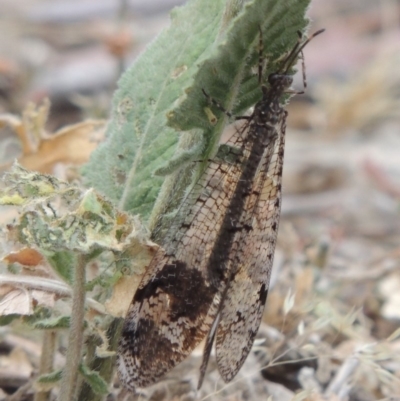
{"x":84,"y":221}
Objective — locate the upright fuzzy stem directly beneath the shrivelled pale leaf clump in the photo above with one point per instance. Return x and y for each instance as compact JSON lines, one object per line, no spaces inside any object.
{"x":68,"y":385}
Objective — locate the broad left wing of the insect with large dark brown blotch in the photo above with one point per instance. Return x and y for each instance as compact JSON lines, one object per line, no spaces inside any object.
{"x":176,"y":302}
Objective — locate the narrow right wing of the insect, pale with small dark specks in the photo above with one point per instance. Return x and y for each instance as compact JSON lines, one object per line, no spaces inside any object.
{"x":243,"y":305}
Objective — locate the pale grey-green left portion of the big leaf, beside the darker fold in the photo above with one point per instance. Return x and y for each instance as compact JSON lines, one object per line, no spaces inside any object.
{"x":138,"y":140}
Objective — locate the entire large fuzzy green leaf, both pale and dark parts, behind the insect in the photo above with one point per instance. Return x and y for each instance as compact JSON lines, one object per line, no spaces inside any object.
{"x":210,"y":46}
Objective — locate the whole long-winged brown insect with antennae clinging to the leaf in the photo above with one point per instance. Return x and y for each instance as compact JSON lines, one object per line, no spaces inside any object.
{"x":210,"y":280}
